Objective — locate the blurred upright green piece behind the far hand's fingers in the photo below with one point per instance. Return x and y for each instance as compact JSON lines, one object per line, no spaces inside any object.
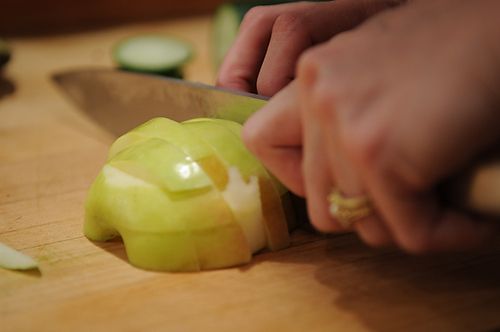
{"x":227,"y":19}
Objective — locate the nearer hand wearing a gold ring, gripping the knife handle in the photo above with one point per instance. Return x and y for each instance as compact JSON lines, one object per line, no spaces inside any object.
{"x":391,"y":109}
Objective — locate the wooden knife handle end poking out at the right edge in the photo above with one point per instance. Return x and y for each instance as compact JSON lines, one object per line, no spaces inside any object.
{"x":478,"y":189}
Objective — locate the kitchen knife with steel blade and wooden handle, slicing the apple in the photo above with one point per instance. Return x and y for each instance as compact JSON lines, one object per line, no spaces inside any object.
{"x":119,"y":101}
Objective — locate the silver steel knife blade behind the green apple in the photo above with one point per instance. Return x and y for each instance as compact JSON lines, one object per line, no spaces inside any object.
{"x":119,"y":101}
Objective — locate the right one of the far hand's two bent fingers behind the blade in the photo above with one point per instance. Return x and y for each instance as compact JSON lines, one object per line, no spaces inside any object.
{"x":289,"y":38}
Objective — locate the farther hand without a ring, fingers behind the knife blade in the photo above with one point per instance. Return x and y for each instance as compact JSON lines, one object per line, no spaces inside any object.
{"x":271,"y":39}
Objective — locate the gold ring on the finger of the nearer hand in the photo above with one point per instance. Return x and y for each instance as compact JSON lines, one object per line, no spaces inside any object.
{"x":347,"y":210}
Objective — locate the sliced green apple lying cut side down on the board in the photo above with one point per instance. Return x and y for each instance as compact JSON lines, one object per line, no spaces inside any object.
{"x":185,"y":197}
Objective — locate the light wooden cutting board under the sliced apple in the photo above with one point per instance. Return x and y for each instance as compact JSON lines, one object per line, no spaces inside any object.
{"x":50,"y":153}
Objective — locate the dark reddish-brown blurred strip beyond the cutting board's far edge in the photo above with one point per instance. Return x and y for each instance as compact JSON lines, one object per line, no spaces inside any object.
{"x":31,"y":17}
